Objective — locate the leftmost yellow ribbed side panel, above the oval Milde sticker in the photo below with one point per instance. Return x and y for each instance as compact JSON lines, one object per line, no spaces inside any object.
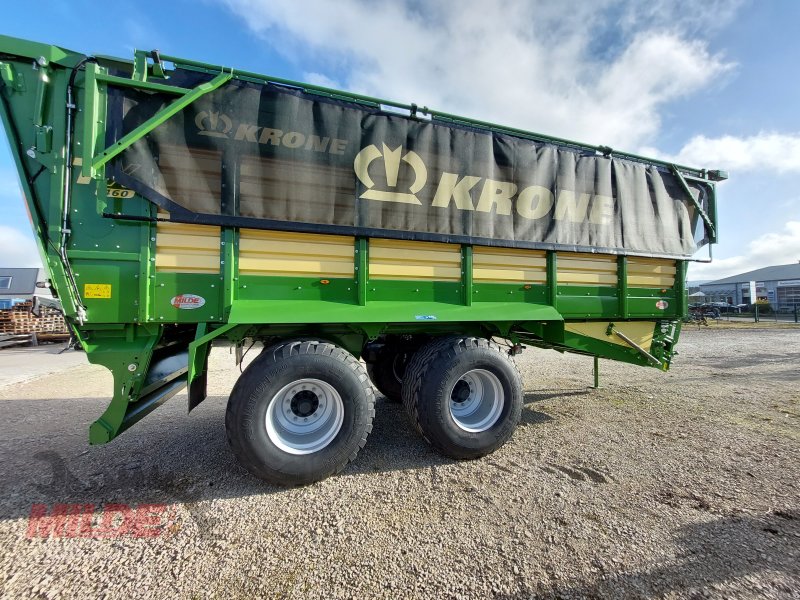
{"x":184,"y":248}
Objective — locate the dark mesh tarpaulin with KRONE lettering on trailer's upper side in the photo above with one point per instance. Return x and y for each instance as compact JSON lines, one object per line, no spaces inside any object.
{"x":267,"y":156}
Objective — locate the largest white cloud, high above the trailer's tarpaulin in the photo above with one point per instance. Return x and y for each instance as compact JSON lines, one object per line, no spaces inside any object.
{"x":599,"y":72}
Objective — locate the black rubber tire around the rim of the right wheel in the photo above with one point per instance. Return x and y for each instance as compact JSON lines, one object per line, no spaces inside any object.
{"x":430,"y":378}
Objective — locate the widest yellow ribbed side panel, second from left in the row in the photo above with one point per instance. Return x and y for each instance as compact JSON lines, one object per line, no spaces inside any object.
{"x":288,"y":254}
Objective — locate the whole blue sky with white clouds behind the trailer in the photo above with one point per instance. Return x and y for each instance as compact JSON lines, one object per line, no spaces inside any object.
{"x":711,"y":84}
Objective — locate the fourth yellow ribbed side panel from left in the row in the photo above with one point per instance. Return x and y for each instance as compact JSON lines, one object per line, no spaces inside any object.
{"x":505,"y":265}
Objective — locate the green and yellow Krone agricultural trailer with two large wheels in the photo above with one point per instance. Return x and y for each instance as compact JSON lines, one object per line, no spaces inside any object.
{"x":179,"y":204}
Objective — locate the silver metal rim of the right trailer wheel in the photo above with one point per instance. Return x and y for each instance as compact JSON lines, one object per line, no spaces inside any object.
{"x":476,"y":400}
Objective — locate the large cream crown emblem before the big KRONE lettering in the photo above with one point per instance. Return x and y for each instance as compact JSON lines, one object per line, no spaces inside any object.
{"x":391,"y":162}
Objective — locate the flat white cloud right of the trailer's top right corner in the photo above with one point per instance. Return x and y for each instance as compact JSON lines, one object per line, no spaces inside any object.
{"x":764,"y":151}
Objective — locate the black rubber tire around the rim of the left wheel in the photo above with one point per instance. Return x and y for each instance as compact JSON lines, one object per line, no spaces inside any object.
{"x":274,"y":368}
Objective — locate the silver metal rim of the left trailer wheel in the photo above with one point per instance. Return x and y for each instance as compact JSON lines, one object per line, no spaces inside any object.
{"x":304,"y":416}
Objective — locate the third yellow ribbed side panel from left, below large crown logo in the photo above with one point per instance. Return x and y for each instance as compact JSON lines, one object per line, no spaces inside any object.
{"x":401,"y":259}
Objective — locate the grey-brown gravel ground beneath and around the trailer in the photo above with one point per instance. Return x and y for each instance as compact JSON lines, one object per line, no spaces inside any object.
{"x":676,"y":485}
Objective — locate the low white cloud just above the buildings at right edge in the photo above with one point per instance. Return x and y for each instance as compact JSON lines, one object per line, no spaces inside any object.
{"x":767,"y":250}
